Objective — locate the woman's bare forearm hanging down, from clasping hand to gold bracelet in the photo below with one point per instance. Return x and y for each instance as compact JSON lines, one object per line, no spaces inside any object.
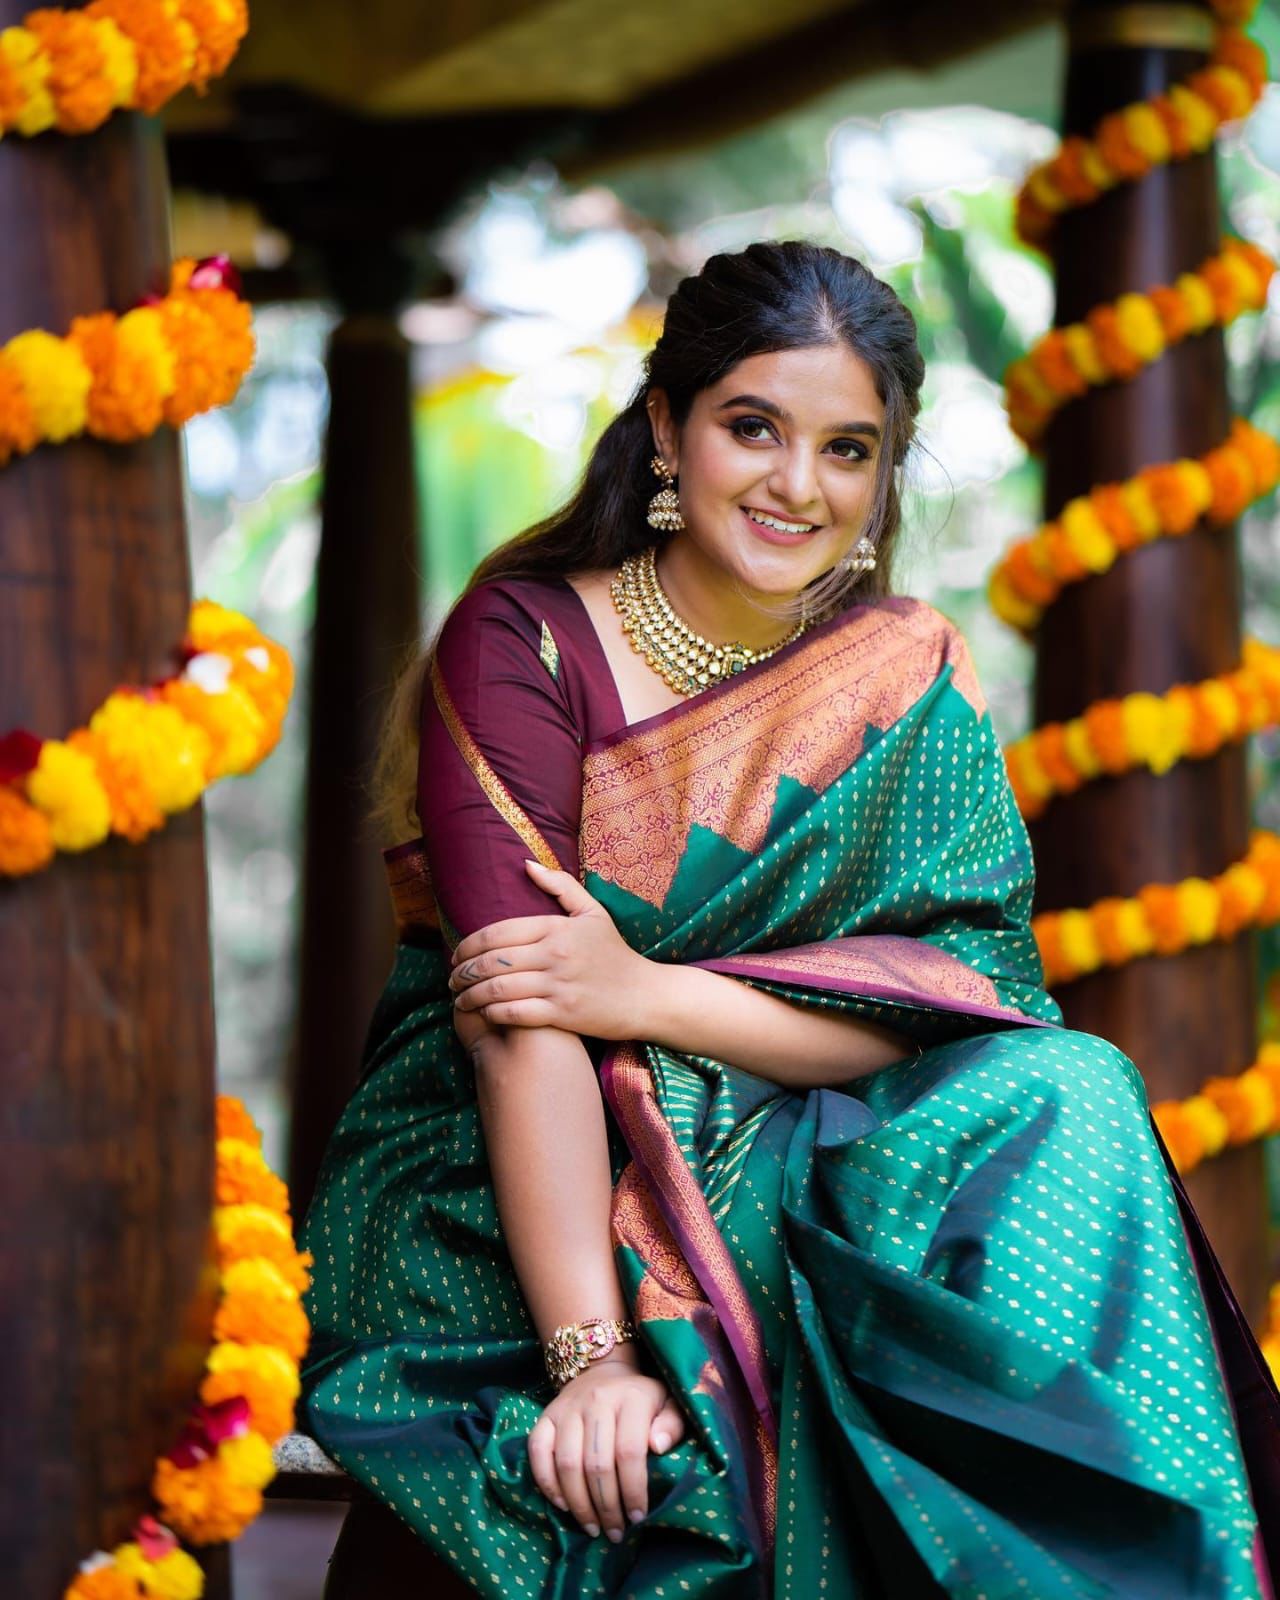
{"x":545,"y":1130}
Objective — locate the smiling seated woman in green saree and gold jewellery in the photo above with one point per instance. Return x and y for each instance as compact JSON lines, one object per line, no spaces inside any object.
{"x":724,"y":1209}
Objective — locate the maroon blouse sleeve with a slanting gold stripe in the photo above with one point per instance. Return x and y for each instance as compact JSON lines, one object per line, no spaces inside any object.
{"x":502,"y":764}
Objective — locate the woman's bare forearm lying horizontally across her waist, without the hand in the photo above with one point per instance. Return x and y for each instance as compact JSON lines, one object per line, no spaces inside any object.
{"x":713,"y":1015}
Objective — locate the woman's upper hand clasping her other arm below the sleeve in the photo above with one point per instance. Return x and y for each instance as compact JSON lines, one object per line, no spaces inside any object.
{"x":577,"y":974}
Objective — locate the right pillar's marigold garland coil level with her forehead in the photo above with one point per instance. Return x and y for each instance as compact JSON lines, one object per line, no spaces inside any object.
{"x":1118,"y":340}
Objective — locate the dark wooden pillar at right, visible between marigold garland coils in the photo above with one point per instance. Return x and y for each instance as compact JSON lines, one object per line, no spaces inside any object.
{"x":1167,"y":614}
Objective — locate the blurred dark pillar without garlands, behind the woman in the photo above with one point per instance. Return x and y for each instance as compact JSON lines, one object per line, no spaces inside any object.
{"x":367,"y":620}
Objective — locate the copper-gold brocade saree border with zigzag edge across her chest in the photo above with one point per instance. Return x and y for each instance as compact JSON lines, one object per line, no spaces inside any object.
{"x":721,"y":761}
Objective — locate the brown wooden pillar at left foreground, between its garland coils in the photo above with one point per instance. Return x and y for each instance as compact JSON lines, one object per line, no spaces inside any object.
{"x":106,"y":1140}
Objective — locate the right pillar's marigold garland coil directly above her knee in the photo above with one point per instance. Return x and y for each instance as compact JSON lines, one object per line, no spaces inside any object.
{"x":1164,"y":919}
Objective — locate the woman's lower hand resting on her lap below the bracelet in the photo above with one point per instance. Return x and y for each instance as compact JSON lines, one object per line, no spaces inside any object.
{"x":590,"y":1450}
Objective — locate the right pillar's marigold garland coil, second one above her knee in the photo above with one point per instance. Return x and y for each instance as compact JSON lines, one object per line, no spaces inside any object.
{"x":1190,"y":721}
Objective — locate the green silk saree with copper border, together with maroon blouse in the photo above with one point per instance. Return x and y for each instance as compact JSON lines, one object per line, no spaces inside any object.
{"x":948,"y":1329}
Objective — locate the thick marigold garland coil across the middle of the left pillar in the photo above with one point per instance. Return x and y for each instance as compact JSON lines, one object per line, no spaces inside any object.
{"x":148,"y":753}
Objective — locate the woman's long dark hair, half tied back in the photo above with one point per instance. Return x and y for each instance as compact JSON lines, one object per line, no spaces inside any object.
{"x":769,"y":297}
